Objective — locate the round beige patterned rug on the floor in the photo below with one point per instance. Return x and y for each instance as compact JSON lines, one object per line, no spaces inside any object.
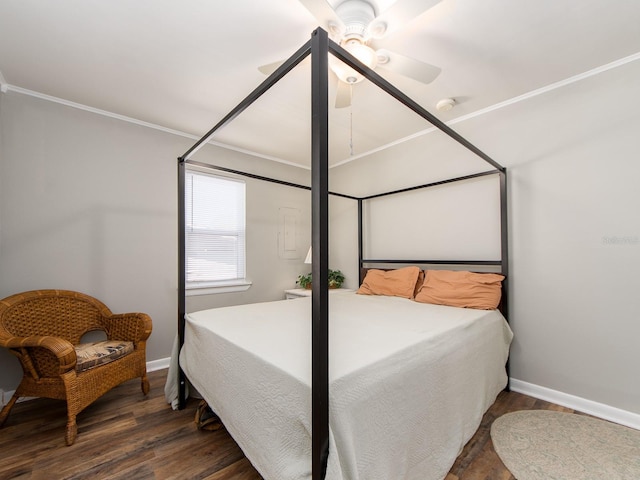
{"x":545,"y":445}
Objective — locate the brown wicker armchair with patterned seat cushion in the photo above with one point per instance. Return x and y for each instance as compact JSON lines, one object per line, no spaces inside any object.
{"x":43,"y":329}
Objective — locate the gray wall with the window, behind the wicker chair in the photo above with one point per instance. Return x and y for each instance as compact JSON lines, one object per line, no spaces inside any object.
{"x":88,"y":203}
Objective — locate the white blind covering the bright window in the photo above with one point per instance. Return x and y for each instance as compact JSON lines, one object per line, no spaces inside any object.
{"x":215,"y":230}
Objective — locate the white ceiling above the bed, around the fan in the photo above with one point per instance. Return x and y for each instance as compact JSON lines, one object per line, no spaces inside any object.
{"x":184,"y":64}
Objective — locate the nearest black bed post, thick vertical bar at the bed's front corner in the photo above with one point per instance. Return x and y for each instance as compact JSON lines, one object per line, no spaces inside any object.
{"x":320,"y":254}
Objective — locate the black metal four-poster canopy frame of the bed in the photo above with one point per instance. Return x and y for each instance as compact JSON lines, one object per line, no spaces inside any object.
{"x":319,"y":47}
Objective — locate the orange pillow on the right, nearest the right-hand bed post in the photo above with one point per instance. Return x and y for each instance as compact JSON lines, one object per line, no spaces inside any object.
{"x":461,"y":289}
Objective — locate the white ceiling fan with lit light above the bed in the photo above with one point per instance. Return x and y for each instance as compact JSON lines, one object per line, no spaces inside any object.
{"x":358,"y":28}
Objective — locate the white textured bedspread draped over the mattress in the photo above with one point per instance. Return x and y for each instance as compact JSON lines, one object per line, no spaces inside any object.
{"x":409,"y":382}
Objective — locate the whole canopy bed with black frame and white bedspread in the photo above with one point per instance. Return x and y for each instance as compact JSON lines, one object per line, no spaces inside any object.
{"x":365,"y":402}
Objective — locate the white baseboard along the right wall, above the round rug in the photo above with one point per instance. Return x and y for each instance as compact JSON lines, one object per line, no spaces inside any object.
{"x":590,"y":407}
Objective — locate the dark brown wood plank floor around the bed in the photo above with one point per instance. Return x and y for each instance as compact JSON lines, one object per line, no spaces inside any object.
{"x":124,"y":435}
